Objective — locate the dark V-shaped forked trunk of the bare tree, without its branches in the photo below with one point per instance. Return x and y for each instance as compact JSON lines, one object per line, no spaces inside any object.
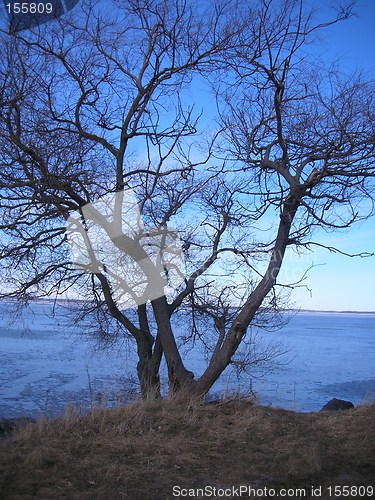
{"x":180,"y":379}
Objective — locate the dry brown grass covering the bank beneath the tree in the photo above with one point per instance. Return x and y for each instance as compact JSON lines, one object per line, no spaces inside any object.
{"x":141,"y":451}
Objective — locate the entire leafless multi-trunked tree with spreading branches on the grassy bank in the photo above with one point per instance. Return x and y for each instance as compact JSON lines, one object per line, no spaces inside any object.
{"x":95,"y":104}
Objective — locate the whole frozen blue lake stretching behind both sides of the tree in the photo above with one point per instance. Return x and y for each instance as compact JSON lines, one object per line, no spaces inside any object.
{"x":45,"y":364}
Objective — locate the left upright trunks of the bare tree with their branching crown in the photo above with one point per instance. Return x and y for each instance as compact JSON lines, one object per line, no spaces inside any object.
{"x":77,"y":94}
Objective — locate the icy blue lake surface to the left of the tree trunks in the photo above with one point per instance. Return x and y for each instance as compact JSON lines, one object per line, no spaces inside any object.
{"x":46,"y":363}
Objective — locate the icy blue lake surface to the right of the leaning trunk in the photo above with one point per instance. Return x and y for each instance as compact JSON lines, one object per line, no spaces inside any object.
{"x":334,"y":357}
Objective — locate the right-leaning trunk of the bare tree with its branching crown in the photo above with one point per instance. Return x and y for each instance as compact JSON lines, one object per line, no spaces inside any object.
{"x":303,"y":137}
